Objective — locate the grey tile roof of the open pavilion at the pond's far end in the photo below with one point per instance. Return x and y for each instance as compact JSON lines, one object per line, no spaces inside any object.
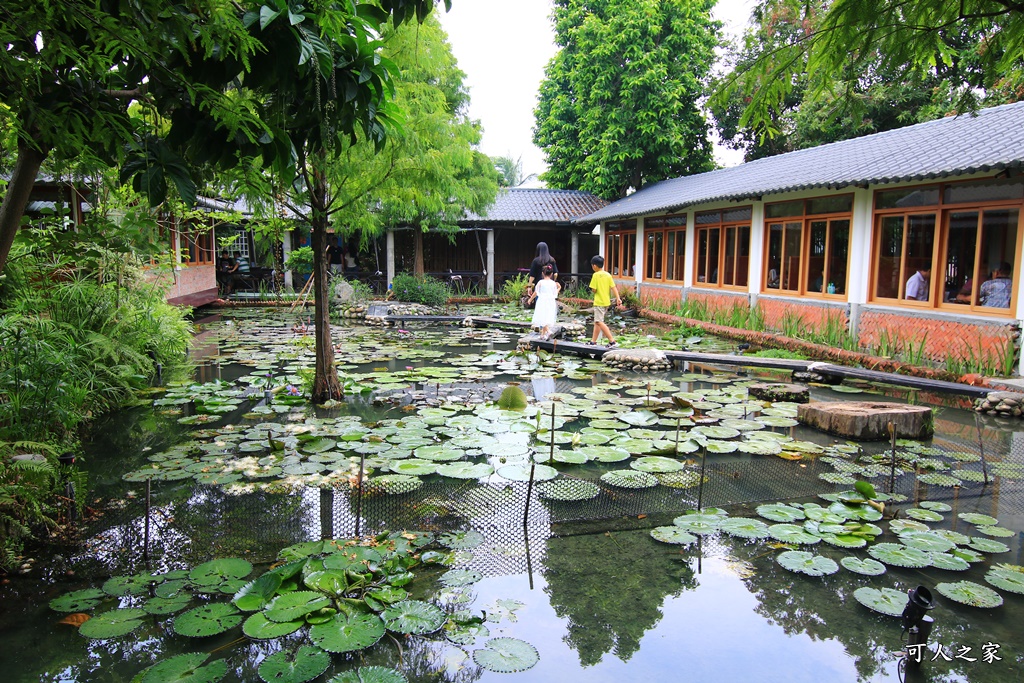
{"x":518,"y":205}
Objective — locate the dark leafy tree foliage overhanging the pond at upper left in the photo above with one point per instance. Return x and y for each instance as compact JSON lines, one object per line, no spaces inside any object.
{"x":72,"y":68}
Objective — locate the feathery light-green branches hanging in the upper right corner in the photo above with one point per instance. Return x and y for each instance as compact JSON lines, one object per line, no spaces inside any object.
{"x":974,"y":49}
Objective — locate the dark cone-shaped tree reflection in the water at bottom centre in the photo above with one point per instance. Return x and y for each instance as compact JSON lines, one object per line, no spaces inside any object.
{"x":612,"y":588}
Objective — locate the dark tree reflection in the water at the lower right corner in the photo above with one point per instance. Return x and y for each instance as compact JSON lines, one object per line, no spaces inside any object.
{"x":825,"y":610}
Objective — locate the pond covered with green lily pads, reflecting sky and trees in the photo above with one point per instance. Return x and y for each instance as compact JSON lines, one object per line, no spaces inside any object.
{"x":588,"y":525}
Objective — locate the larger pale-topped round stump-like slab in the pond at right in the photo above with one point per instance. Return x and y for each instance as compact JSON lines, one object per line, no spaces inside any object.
{"x":868,"y":421}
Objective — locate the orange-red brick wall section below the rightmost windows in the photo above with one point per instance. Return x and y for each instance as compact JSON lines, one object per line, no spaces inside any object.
{"x":944,"y":336}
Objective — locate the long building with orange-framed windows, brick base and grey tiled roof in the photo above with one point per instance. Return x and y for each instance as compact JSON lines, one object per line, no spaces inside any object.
{"x":912,"y":235}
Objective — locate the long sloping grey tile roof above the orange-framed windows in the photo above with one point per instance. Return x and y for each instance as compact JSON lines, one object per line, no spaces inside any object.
{"x":992,"y":141}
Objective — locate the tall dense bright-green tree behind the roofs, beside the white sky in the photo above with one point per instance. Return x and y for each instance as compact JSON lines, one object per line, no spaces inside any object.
{"x":619,"y":107}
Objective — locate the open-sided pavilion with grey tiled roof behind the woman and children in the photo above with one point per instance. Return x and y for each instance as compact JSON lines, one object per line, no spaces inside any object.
{"x":502,"y":243}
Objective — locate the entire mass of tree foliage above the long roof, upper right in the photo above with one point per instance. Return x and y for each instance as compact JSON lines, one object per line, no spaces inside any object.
{"x":848,"y":62}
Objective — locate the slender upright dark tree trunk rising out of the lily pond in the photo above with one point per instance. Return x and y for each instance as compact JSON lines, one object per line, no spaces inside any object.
{"x":326,"y":385}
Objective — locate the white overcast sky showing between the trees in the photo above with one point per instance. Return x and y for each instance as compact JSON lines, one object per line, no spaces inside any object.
{"x":503,"y":50}
